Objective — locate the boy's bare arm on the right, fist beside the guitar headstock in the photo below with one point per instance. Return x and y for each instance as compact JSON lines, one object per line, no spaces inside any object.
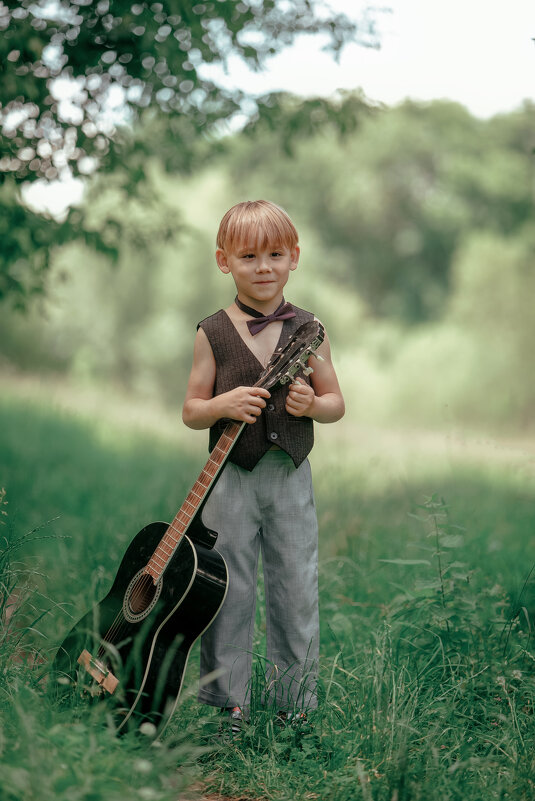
{"x":322,"y":400}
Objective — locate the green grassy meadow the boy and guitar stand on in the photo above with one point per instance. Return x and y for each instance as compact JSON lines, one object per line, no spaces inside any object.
{"x":427,"y":686}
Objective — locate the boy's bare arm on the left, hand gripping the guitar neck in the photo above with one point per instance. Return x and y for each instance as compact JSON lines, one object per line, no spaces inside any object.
{"x":201,"y":409}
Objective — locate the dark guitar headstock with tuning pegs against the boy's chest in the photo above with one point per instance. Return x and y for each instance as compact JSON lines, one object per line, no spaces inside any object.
{"x":288,"y":360}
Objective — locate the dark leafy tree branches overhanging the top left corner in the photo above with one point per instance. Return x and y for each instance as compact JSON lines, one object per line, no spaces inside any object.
{"x":94,"y":86}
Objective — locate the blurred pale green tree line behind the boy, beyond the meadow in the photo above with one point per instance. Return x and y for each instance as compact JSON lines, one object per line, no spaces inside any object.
{"x":424,"y":288}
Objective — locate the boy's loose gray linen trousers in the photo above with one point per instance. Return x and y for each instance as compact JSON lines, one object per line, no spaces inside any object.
{"x":269,"y":510}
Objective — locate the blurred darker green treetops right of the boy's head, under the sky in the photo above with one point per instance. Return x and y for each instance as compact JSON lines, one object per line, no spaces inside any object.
{"x":392,"y":201}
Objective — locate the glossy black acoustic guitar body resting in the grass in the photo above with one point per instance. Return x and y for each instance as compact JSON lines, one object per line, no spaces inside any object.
{"x":137,"y":640}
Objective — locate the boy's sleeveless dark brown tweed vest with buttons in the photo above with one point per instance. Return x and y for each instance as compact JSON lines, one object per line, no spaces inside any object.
{"x":237,"y":366}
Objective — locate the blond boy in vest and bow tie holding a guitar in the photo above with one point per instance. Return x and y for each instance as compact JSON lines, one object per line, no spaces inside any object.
{"x":263,"y":498}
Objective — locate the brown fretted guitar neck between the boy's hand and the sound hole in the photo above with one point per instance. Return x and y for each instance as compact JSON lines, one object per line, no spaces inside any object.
{"x":196,"y":496}
